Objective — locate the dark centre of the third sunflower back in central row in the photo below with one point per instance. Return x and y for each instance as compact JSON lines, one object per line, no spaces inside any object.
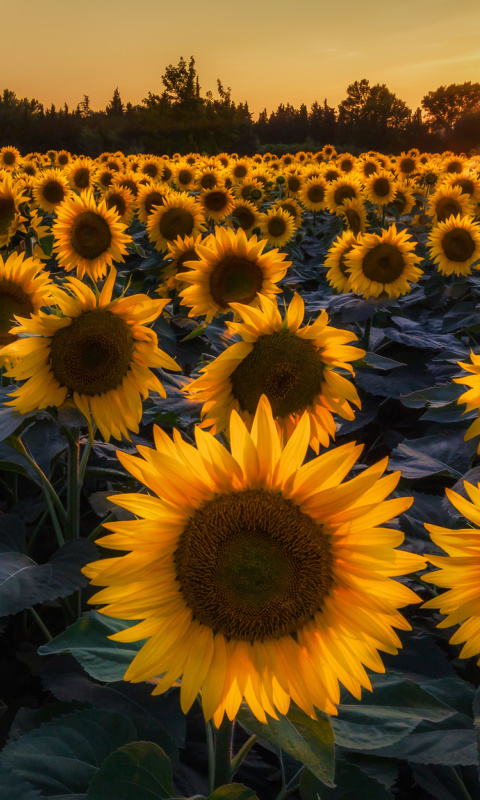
{"x":235,"y":280}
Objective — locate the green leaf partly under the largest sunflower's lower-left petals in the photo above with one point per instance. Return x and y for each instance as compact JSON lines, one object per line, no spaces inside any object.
{"x":87,"y":640}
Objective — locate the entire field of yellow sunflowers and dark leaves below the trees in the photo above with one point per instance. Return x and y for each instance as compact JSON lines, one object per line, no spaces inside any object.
{"x":239,"y":476}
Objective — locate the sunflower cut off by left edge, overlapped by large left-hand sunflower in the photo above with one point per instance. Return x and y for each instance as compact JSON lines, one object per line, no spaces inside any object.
{"x":24,"y":288}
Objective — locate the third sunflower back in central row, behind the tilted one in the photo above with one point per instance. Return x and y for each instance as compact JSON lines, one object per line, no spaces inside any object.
{"x":231,"y":269}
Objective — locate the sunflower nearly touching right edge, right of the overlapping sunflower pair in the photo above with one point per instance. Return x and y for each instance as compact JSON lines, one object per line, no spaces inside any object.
{"x":455,"y":245}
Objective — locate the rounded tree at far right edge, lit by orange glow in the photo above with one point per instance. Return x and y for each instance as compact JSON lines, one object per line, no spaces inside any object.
{"x":447,"y":104}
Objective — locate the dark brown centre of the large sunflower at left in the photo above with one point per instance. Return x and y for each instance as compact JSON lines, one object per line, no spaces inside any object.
{"x":93,"y":354}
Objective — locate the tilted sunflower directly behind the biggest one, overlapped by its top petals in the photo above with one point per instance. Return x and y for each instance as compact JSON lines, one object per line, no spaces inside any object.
{"x":296,"y":368}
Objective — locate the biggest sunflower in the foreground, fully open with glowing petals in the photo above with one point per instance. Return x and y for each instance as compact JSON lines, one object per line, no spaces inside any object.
{"x":253,"y":576}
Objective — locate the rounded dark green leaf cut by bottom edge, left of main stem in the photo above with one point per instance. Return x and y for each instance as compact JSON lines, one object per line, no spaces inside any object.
{"x":136,"y":771}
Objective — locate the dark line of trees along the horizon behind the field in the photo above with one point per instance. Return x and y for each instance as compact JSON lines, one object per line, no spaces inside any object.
{"x":181,"y":119}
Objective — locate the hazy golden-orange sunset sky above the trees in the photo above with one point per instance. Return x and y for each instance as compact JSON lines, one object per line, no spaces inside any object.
{"x":285,"y":51}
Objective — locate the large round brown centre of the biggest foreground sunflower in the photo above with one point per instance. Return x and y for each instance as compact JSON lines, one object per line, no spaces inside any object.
{"x":252,"y":566}
